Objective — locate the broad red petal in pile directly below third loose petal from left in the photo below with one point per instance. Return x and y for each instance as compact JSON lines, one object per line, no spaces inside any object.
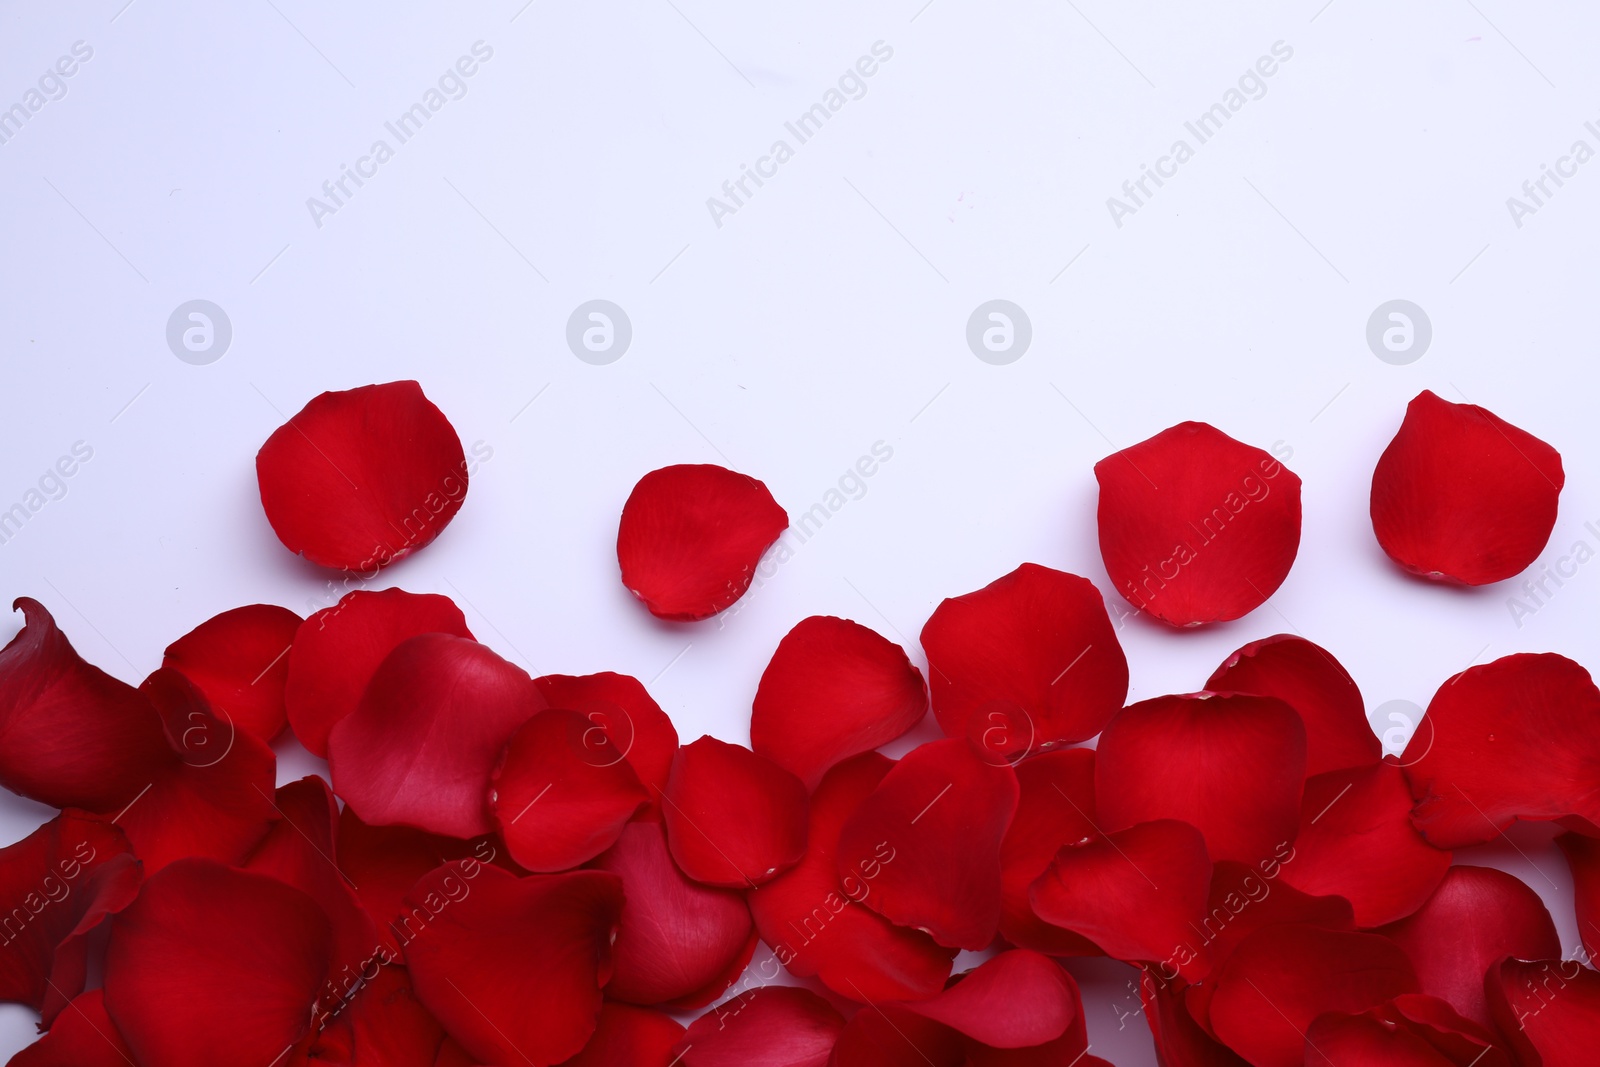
{"x":1230,"y":765}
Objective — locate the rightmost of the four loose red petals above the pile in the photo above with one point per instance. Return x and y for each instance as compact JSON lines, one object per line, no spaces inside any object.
{"x":1465,"y":497}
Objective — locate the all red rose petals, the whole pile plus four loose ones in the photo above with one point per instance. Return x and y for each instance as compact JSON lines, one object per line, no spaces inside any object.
{"x":513,"y":871}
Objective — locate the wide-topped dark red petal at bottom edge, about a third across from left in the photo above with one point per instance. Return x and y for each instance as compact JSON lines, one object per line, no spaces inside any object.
{"x":513,"y":967}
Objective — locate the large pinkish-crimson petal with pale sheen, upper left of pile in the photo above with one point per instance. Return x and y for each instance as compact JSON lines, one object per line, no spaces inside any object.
{"x":425,"y":740}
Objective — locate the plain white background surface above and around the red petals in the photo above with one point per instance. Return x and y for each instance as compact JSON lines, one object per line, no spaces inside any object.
{"x":822,"y":318}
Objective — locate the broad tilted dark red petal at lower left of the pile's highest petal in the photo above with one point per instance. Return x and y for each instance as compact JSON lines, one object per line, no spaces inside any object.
{"x":935,"y":825}
